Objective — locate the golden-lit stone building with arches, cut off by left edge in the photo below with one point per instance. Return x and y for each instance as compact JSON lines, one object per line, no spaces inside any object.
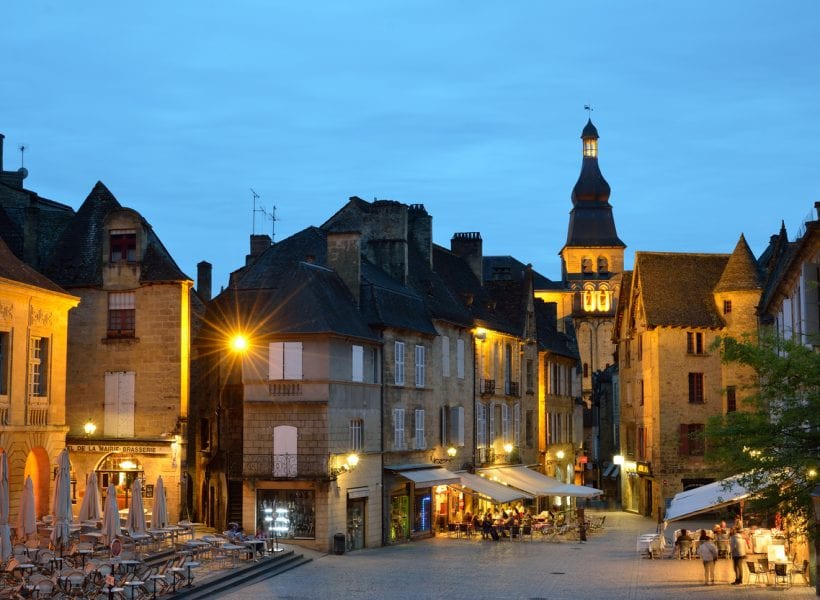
{"x":33,"y":341}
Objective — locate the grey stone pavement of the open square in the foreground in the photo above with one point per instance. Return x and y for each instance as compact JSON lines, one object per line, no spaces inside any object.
{"x":607,"y":566}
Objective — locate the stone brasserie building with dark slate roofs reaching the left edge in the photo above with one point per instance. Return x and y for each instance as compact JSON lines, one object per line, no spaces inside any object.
{"x":127,"y":368}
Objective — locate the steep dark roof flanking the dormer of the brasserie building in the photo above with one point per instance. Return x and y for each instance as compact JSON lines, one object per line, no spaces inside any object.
{"x":77,"y":258}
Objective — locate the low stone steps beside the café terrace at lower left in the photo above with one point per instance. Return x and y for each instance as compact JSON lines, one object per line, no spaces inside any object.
{"x":231,"y":579}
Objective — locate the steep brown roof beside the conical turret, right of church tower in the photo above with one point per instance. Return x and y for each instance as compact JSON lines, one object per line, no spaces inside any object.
{"x":677,"y":288}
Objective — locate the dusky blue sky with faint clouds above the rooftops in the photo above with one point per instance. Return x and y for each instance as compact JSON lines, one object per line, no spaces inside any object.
{"x":709,"y":114}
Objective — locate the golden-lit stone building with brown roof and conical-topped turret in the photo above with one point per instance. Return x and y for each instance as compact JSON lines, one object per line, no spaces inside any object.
{"x":673,"y":307}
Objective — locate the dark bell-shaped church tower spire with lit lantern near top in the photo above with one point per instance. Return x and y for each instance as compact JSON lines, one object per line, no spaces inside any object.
{"x":591,"y":222}
